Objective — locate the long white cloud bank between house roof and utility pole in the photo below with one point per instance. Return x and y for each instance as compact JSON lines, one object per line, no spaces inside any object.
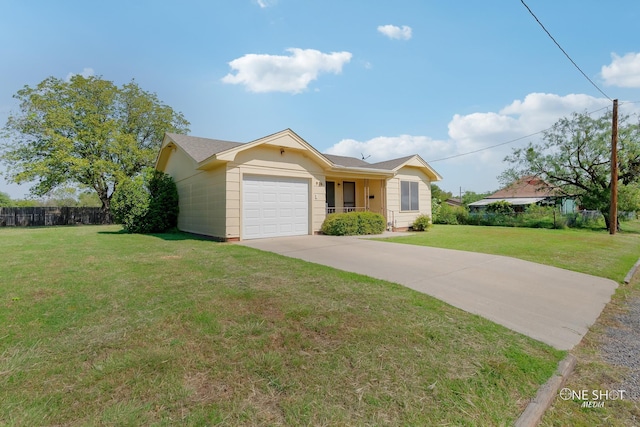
{"x":474,"y":133}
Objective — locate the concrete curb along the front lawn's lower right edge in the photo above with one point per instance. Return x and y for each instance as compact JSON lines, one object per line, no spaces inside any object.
{"x":534,"y":412}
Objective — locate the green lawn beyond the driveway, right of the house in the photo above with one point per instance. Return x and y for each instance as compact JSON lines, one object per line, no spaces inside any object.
{"x":586,"y":251}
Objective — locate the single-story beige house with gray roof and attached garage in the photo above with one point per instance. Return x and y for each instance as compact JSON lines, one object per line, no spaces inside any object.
{"x":280,"y":185}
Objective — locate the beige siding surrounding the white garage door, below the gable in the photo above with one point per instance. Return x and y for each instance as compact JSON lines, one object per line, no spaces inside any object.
{"x":267,"y":160}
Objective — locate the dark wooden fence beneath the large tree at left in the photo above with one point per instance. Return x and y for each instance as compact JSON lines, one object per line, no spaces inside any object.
{"x":40,"y":216}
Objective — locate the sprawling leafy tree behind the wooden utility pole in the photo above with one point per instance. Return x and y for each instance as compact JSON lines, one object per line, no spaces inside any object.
{"x":575,"y":156}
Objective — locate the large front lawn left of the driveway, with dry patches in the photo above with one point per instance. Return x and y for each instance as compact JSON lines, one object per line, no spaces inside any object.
{"x":100,"y":327}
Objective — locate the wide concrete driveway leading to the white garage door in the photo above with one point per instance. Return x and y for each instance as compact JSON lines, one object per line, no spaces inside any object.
{"x":549,"y":304}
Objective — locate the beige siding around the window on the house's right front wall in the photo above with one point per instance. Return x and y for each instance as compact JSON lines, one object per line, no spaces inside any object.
{"x":404,"y":219}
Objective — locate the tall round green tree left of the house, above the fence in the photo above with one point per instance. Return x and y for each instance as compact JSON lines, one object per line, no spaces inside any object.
{"x":85,"y":131}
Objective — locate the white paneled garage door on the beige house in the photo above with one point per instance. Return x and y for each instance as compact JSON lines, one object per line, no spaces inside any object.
{"x":273,"y":207}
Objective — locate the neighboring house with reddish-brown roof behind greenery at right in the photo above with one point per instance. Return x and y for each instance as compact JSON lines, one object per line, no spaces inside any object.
{"x":527,"y":191}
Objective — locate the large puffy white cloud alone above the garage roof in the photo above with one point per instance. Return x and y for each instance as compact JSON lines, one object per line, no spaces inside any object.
{"x":276,"y":73}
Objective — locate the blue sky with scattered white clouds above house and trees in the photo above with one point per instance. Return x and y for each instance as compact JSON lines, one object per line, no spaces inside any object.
{"x":382,"y":79}
